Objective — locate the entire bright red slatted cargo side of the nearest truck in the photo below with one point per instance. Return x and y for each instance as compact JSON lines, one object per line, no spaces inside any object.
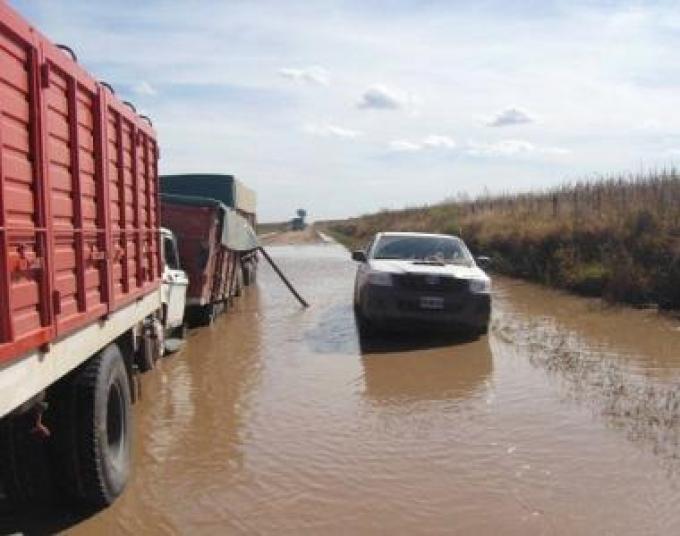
{"x":79,"y":222}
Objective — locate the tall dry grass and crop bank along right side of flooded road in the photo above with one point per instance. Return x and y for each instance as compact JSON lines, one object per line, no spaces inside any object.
{"x":618,"y":238}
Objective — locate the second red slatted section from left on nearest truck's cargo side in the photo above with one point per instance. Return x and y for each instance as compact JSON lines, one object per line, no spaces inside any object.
{"x":79,"y":228}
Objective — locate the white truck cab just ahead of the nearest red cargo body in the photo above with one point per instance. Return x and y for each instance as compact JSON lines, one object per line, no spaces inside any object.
{"x":174,"y":285}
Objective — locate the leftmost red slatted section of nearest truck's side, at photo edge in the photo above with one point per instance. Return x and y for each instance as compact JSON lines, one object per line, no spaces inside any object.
{"x":22,"y":235}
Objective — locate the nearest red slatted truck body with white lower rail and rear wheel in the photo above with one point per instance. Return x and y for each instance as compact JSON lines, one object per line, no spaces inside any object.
{"x":80,"y":269}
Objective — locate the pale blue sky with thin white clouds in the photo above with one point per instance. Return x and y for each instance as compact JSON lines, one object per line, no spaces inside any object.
{"x":345,"y":107}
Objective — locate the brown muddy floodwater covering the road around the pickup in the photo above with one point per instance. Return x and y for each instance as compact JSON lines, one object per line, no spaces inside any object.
{"x":564,"y":420}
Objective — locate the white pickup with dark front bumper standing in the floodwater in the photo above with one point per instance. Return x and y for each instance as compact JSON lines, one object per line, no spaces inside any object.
{"x":407,"y":279}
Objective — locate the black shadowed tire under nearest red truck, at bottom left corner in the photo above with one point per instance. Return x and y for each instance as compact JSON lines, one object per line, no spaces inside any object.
{"x":24,"y":469}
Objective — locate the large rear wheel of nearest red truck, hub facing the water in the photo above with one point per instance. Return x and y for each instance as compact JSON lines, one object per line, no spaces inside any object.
{"x":103,"y":428}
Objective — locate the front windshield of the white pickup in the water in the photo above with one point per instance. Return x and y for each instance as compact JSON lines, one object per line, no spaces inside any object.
{"x":427,"y":249}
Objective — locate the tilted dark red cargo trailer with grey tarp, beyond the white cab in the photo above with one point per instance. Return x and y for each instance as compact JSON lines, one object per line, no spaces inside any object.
{"x":213,"y":241}
